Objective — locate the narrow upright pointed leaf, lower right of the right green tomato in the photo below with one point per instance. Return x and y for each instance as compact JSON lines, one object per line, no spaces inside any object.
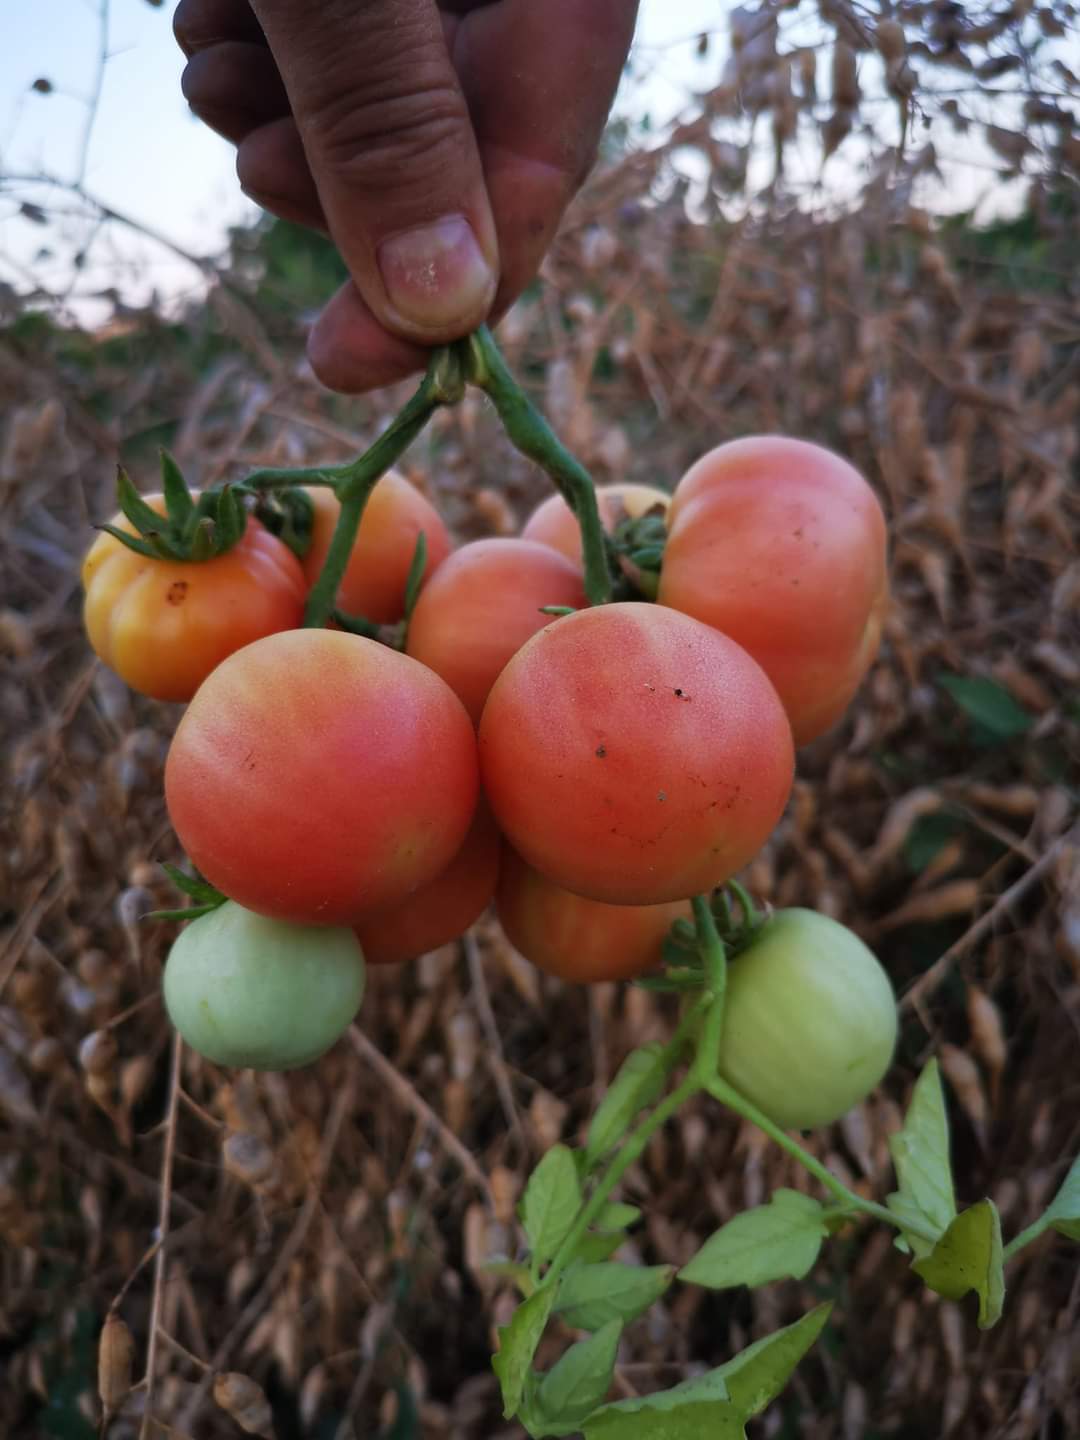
{"x":921,"y":1154}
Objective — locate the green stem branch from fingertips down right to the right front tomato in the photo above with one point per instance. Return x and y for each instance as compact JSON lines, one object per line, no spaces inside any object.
{"x":535,"y":438}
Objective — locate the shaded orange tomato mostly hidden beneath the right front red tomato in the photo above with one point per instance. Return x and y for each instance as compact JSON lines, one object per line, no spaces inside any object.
{"x":575,"y":938}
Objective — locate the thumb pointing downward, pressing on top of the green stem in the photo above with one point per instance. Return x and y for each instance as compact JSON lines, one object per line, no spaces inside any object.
{"x":391,"y":148}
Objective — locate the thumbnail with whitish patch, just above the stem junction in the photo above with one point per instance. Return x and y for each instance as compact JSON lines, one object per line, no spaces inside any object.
{"x":437,"y":276}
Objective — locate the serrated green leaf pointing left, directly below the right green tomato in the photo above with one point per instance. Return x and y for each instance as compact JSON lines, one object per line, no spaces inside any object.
{"x":774,"y":1242}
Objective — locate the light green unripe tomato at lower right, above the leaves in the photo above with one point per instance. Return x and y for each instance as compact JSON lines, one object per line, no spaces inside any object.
{"x":810,"y":1022}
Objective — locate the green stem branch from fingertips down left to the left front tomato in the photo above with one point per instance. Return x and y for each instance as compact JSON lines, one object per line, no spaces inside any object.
{"x":443,"y":385}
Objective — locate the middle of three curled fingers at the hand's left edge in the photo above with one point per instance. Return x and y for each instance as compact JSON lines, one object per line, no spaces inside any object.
{"x":234,"y":89}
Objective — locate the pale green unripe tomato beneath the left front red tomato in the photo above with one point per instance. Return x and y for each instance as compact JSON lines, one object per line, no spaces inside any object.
{"x":248,"y":991}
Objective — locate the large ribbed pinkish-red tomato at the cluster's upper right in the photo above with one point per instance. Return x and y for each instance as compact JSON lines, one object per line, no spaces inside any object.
{"x":783,"y":546}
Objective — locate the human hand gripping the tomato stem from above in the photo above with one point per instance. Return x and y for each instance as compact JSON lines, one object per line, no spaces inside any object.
{"x":438,"y":143}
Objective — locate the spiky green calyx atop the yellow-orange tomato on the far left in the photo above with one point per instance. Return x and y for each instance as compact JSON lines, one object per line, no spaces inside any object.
{"x":191,"y":529}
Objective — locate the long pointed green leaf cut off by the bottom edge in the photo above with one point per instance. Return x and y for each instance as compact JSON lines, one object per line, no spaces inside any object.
{"x":719,"y":1403}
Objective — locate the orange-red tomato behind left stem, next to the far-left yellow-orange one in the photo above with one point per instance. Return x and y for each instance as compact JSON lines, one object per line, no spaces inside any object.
{"x":374,"y":584}
